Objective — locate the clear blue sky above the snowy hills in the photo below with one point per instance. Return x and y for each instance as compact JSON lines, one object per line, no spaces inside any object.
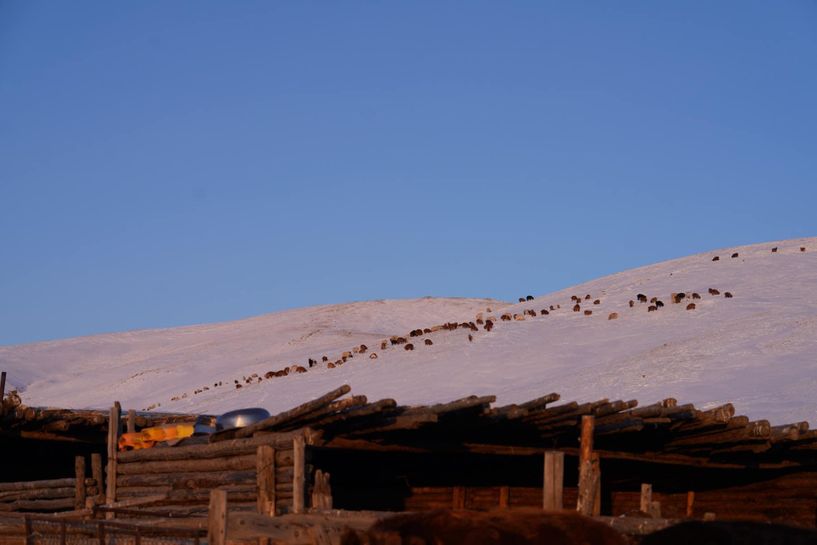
{"x":168,"y":163}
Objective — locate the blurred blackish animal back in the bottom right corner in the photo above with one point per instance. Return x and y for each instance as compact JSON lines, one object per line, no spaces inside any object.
{"x":730,"y":533}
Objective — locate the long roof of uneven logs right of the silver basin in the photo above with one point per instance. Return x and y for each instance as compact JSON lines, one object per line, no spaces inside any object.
{"x":662,"y":432}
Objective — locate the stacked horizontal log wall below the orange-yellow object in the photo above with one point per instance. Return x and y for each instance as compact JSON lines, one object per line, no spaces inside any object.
{"x":187,"y":474}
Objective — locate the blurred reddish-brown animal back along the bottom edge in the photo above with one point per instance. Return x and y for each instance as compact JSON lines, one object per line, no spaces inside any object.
{"x":517,"y":527}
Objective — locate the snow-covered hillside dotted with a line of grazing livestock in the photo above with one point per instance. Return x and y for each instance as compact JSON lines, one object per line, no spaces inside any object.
{"x":757,"y":349}
